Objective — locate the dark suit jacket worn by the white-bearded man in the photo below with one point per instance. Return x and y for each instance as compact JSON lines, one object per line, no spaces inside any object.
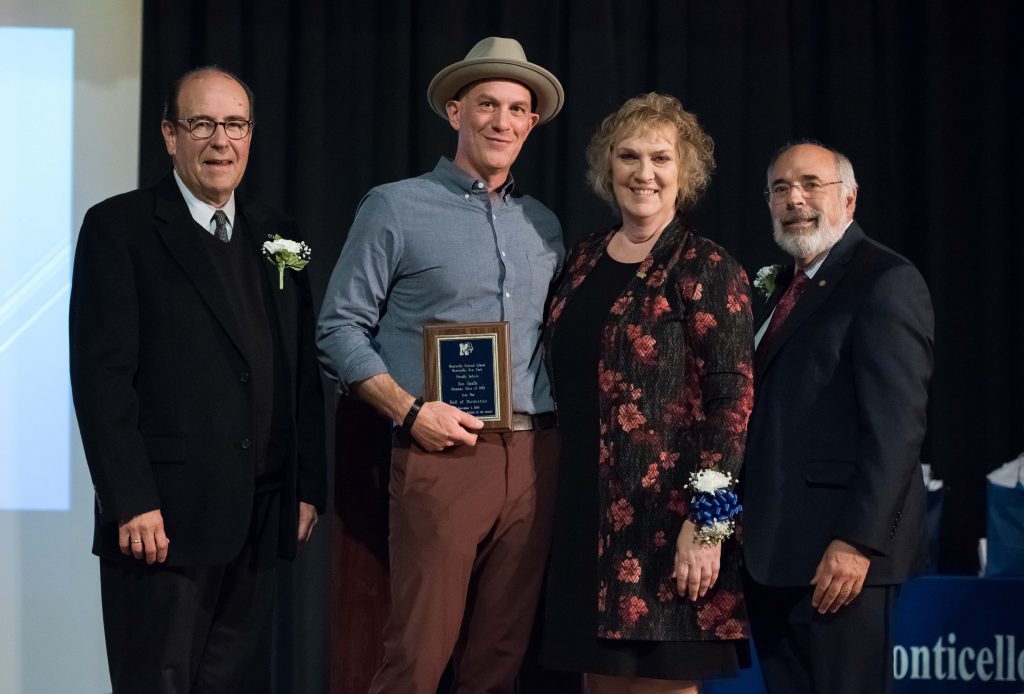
{"x":839,"y":420}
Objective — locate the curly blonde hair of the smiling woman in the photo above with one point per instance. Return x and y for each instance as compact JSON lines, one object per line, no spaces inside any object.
{"x":639,"y":116}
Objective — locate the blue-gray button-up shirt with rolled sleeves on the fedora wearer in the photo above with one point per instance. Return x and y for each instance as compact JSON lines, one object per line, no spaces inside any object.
{"x":433,"y":249}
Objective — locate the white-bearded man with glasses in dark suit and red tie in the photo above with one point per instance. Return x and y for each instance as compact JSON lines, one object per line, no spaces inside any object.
{"x":834,"y":497}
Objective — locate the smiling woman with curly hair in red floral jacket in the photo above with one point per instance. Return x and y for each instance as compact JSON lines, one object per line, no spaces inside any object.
{"x":649,"y":344}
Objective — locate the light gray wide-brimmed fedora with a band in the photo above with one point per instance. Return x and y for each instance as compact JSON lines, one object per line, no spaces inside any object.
{"x":497,"y":59}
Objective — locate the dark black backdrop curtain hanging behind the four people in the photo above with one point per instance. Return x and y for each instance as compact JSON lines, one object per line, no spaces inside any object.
{"x":924,"y":97}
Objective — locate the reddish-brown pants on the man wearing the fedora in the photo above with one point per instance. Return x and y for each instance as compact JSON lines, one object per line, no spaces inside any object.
{"x":470,"y":534}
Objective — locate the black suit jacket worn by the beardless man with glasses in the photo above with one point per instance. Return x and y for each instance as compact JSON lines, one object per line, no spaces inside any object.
{"x":160,"y":378}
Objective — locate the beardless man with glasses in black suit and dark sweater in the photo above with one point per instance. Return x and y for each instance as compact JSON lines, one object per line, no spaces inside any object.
{"x":199,"y":400}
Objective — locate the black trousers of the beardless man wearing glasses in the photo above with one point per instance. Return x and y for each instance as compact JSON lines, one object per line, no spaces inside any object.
{"x":195,"y":630}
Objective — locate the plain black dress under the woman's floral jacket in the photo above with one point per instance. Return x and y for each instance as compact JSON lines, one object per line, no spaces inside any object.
{"x":571,"y":640}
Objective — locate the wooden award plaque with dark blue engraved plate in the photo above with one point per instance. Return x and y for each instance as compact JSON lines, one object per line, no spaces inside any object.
{"x":467,"y":366}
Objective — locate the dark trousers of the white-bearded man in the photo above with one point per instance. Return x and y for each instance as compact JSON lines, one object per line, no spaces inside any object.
{"x":803,"y":653}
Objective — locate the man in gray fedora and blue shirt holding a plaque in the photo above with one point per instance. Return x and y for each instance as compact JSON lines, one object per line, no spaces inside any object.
{"x":471,"y":511}
